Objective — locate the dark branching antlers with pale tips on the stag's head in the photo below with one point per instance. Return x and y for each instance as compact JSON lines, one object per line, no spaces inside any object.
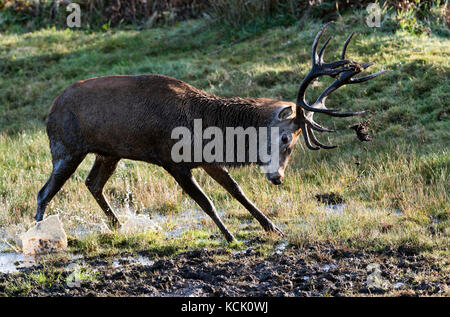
{"x":343,"y":71}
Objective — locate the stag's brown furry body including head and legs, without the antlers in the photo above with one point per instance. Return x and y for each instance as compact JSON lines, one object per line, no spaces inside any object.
{"x":132,"y":117}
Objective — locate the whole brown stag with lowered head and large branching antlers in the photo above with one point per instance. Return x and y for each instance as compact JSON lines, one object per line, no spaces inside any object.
{"x":132,"y":116}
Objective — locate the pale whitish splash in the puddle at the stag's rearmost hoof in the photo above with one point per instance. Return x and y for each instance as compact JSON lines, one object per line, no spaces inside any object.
{"x":46,"y":236}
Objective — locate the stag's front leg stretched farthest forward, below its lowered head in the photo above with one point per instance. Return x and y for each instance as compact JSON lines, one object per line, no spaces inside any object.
{"x":221,"y":175}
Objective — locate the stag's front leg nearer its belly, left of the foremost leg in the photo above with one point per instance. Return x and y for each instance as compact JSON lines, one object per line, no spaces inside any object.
{"x":184,"y":177}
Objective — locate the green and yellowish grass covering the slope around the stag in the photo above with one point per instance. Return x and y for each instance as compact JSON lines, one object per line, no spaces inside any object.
{"x":396,"y":195}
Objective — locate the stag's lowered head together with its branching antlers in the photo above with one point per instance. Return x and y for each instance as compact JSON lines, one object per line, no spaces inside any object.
{"x":294,"y":119}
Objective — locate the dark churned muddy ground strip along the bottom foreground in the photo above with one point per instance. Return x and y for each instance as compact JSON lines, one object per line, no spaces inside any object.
{"x":313,"y":271}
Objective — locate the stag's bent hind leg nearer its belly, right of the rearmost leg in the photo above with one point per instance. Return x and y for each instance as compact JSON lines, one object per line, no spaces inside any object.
{"x":101,"y":171}
